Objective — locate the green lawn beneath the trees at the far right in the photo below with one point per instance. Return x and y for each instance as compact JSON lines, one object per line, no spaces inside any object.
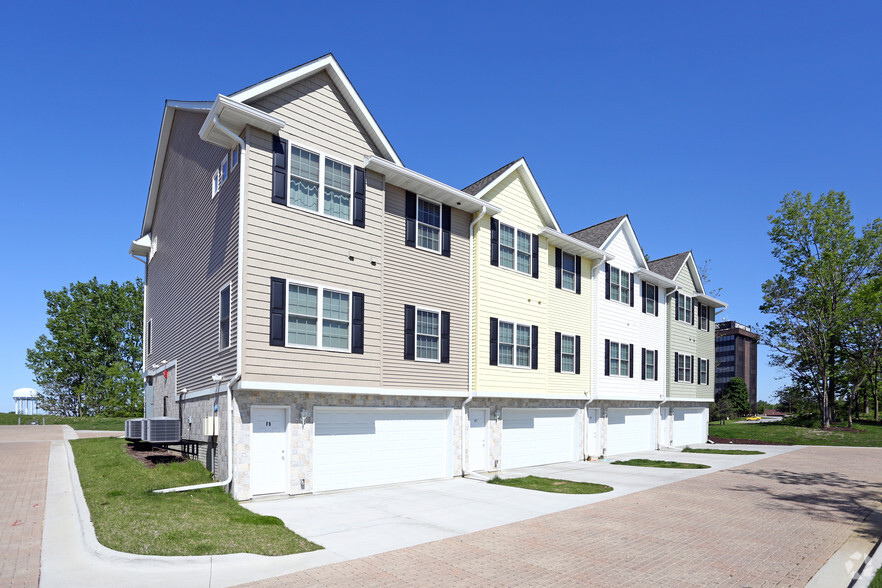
{"x":869,"y":434}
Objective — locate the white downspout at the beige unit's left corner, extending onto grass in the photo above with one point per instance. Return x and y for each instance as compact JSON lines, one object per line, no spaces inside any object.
{"x":238,"y":375}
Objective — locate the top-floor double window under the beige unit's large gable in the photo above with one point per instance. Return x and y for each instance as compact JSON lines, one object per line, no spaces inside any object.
{"x":320,"y":184}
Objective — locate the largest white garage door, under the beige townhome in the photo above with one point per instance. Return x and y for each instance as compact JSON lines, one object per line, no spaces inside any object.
{"x":372,"y":446}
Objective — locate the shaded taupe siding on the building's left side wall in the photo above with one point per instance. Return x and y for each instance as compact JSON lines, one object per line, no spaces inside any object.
{"x":197,"y":254}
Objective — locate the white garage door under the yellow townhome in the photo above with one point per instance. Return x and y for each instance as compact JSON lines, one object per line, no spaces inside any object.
{"x":538,"y":436}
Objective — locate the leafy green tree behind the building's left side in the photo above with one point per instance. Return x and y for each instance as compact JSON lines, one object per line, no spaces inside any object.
{"x":90,"y":362}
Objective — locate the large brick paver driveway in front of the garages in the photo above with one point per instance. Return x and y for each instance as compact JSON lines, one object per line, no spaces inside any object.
{"x":774,"y":522}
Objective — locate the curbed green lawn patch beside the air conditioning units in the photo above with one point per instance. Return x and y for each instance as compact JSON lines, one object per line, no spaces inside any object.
{"x":129,"y":517}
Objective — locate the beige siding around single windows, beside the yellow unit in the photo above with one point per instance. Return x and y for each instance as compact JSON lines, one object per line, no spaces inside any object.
{"x":427,"y":279}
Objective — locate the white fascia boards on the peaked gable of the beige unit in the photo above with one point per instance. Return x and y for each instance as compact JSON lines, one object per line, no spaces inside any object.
{"x":329,"y":64}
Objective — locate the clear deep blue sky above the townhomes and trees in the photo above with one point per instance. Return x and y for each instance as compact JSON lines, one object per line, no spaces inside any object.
{"x":694,"y":118}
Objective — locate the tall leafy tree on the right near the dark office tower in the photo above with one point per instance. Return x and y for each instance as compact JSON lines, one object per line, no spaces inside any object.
{"x":822,"y":263}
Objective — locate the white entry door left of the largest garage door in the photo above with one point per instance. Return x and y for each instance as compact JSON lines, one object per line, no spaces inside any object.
{"x":269,"y":472}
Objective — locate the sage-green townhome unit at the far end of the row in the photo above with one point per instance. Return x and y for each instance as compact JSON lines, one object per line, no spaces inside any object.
{"x":690,"y":351}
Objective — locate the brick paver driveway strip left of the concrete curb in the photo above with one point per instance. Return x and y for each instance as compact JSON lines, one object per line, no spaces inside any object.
{"x":24,"y":467}
